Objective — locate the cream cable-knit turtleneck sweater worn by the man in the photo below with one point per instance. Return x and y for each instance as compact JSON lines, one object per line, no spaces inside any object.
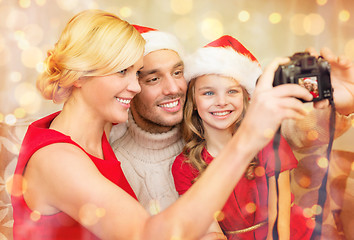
{"x":146,"y":160}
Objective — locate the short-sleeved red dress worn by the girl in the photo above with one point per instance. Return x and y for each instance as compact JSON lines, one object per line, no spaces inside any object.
{"x":248,"y":203}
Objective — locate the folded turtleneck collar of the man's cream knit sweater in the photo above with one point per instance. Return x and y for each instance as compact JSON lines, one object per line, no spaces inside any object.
{"x":152,"y":140}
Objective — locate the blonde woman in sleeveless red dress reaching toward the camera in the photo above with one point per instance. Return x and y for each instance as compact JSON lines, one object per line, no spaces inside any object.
{"x":68,"y":183}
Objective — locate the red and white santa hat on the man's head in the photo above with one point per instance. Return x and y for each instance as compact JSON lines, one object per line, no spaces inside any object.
{"x":158,"y":40}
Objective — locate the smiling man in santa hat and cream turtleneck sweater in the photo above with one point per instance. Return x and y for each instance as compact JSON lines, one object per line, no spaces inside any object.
{"x":149,"y":143}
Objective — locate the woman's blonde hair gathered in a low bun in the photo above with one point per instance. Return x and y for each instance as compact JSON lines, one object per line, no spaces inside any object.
{"x":93,"y":43}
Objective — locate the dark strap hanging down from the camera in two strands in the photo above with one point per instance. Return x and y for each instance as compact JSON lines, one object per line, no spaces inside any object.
{"x":322,"y":192}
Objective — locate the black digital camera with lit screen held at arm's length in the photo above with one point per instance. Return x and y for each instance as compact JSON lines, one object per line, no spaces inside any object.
{"x":309,"y":72}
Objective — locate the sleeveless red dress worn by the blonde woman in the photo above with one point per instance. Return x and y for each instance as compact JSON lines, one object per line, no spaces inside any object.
{"x":59,"y":225}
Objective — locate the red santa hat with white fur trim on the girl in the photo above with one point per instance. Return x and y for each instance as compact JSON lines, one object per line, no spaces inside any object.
{"x":227,"y":57}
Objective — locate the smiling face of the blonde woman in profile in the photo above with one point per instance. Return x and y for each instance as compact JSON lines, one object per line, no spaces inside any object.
{"x":110,"y":96}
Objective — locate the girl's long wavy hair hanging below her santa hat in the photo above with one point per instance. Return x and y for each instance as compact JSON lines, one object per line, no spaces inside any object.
{"x":193,"y":130}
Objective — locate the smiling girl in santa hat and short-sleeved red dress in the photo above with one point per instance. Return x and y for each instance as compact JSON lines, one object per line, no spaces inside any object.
{"x":222,"y":78}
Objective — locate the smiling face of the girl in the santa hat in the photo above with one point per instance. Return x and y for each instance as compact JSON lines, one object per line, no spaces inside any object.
{"x":219,"y":101}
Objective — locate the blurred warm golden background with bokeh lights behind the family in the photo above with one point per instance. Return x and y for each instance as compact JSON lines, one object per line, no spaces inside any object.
{"x":268,"y":28}
